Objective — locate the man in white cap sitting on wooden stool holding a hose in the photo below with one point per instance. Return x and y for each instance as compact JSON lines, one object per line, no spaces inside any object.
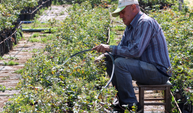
{"x":141,"y":55}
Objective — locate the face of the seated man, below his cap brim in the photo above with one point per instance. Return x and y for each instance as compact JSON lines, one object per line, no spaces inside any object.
{"x":127,"y":14}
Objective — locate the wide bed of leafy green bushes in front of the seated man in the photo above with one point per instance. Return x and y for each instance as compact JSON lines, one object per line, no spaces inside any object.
{"x":49,"y":86}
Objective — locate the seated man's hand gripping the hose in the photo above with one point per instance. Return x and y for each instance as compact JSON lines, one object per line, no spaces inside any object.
{"x":102,"y":48}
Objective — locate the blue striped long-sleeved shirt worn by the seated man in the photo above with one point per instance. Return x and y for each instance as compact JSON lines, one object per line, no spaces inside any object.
{"x":143,"y":39}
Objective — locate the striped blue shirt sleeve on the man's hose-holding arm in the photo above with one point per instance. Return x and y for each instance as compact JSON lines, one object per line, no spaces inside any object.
{"x":136,"y":46}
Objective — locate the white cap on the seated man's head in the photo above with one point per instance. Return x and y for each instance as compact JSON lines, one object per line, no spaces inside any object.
{"x":122,"y":4}
